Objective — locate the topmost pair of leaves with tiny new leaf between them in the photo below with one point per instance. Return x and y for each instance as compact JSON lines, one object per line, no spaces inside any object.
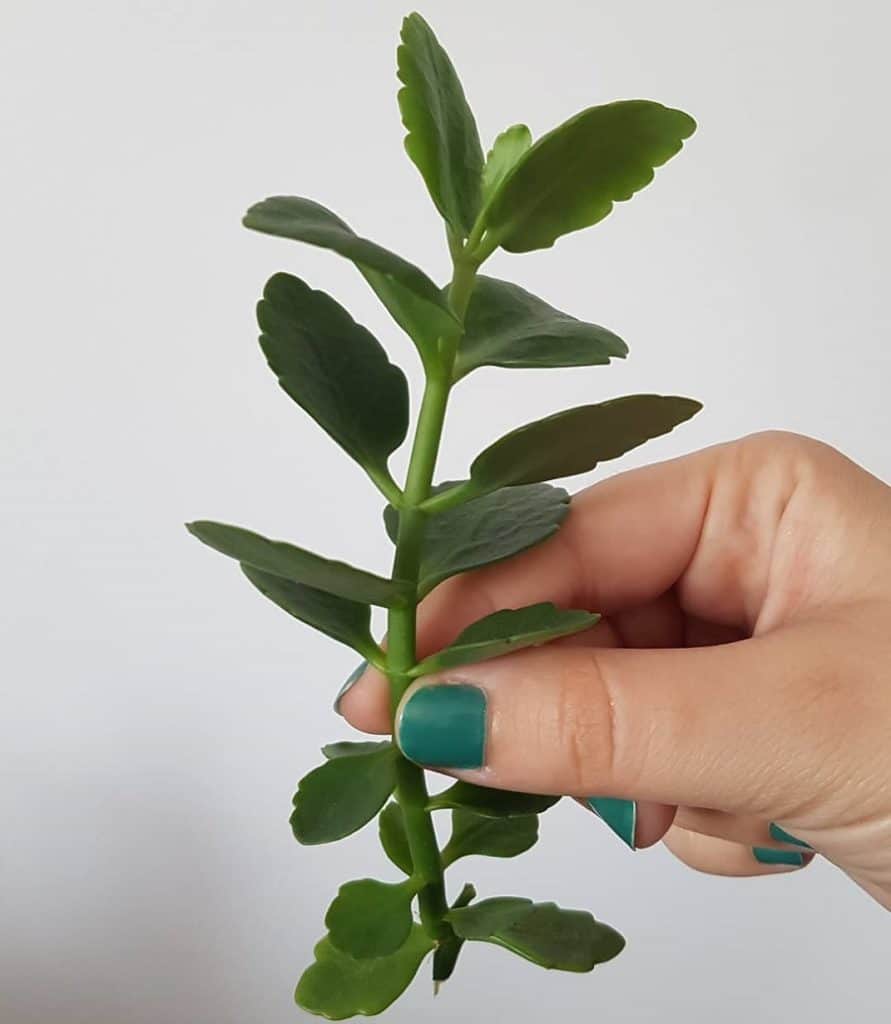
{"x":526,"y":195}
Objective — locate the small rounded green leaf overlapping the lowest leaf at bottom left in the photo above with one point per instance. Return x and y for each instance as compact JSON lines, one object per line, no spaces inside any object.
{"x":370,"y":918}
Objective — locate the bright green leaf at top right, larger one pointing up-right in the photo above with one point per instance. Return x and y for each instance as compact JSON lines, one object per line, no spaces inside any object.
{"x":572,"y":177}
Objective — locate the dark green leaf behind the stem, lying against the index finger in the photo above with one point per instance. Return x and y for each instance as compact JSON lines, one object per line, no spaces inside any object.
{"x":486,"y":530}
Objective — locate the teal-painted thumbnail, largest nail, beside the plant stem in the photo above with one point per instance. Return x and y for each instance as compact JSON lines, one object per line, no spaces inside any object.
{"x":444,"y":727}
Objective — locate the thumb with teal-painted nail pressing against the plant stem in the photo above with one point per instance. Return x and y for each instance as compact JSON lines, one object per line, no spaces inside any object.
{"x":737,"y":728}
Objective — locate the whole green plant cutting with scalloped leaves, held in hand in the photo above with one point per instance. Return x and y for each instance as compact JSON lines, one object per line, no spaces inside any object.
{"x":521,"y":197}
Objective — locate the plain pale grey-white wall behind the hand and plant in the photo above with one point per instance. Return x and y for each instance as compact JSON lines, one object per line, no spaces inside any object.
{"x":156,"y":713}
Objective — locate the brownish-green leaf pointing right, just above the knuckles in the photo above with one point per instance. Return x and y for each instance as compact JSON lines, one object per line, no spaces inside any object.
{"x":576,"y":441}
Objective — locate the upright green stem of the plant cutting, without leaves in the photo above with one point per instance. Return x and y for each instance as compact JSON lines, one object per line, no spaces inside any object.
{"x":402,"y":653}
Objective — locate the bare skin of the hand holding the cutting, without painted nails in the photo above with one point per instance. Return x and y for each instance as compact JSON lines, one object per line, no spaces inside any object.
{"x":741,"y":675}
